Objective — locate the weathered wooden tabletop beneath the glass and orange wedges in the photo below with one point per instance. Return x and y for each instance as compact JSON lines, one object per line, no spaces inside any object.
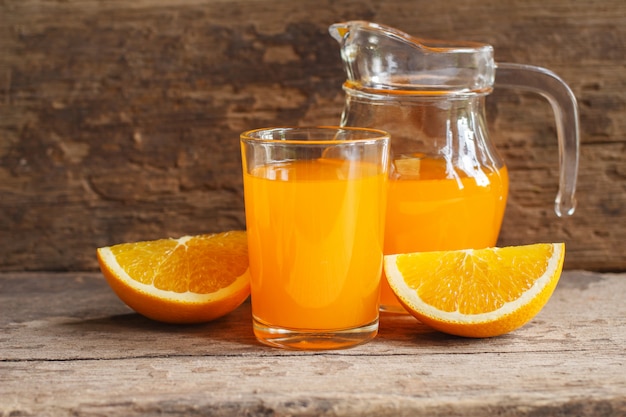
{"x":68,"y":346}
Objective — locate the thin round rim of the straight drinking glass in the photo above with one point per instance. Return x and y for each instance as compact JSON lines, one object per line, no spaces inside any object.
{"x":378,"y":135}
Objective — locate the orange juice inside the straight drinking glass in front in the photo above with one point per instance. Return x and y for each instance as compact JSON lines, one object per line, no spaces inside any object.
{"x":315,"y":233}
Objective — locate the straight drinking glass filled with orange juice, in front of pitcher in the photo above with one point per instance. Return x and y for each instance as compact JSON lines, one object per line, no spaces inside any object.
{"x":315,"y":200}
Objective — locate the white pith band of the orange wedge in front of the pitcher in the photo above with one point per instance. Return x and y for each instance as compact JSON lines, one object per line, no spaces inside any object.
{"x":396,"y":280}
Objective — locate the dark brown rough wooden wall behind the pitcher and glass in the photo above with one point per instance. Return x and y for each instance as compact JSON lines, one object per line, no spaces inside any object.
{"x":119,"y":120}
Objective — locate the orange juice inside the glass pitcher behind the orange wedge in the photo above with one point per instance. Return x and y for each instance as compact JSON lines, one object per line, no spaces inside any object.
{"x":429,"y":212}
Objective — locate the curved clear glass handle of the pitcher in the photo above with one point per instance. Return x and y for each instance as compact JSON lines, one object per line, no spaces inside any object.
{"x":557,"y":92}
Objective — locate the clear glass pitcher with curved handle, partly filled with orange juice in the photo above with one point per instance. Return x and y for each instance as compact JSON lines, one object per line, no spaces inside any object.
{"x":448,"y":185}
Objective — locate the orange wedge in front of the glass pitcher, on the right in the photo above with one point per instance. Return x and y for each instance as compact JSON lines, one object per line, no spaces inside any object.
{"x":476,"y":292}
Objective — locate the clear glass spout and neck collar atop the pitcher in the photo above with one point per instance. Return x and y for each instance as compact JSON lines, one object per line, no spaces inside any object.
{"x":380,"y":57}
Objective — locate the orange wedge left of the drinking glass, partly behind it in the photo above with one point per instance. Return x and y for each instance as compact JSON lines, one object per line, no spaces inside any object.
{"x":192,"y":279}
